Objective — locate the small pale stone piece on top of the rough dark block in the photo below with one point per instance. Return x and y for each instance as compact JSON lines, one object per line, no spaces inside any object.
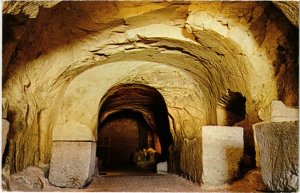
{"x":280,"y":112}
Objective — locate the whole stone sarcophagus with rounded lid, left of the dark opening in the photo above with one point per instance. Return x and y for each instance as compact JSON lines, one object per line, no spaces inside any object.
{"x":73,"y":155}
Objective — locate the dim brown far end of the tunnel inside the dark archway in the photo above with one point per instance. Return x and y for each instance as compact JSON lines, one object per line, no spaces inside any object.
{"x":121,"y":135}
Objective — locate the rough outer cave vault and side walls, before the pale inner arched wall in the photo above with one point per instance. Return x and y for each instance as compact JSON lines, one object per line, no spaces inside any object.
{"x":221,"y":45}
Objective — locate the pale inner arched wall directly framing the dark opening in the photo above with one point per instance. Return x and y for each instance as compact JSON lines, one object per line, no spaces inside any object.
{"x":185,"y":101}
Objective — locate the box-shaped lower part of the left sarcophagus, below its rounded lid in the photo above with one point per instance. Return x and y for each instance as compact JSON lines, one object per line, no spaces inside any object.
{"x":72,"y":163}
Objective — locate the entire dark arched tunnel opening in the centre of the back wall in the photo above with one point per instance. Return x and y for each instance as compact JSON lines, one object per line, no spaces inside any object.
{"x":133,"y":130}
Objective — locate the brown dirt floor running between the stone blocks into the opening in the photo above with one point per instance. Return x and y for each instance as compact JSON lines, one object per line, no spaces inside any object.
{"x":133,"y":180}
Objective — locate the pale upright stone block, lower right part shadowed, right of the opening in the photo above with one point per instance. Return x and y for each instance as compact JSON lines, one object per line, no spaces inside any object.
{"x":222,"y":151}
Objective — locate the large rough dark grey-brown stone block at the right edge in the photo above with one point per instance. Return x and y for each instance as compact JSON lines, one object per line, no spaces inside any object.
{"x":278,"y":146}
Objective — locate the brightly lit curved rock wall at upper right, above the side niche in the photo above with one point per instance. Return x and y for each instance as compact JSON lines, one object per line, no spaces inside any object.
{"x":264,"y":37}
